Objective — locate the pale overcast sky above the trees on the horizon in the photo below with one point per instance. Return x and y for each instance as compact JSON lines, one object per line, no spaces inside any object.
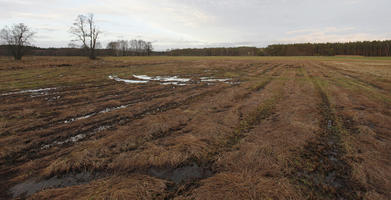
{"x":206,"y":23}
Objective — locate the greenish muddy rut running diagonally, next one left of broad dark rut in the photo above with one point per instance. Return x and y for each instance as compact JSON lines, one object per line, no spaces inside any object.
{"x":247,"y":123}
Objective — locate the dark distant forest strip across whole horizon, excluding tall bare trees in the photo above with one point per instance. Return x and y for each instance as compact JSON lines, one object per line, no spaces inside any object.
{"x":367,"y":48}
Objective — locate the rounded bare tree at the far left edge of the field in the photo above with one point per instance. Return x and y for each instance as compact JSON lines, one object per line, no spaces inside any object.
{"x":17,"y":38}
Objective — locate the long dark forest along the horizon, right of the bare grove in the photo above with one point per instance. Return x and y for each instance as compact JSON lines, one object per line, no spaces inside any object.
{"x":373,"y":48}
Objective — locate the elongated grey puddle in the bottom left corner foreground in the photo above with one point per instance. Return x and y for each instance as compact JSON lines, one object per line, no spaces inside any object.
{"x":32,"y":186}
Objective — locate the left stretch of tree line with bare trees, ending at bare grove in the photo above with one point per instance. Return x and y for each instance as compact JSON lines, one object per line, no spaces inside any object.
{"x":86,"y":34}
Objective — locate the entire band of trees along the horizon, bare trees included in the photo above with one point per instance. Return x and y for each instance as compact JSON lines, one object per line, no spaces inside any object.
{"x":86,"y":34}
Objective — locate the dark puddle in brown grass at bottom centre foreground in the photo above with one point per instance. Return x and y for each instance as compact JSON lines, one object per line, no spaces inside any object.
{"x":182,"y":174}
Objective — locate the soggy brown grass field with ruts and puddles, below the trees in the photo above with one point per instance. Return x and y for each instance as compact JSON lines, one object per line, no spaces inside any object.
{"x":195,"y":128}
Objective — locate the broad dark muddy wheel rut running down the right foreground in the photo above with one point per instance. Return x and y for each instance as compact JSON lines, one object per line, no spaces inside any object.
{"x":321,"y":168}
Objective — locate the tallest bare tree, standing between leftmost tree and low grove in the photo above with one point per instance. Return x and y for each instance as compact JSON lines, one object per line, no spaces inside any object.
{"x":85,"y":31}
